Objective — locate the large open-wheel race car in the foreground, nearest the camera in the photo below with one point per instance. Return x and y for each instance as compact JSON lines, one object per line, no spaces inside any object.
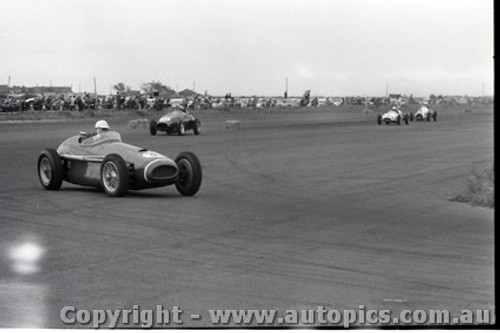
{"x":106,"y":162}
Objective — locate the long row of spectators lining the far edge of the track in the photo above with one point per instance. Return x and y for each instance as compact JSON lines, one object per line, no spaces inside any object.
{"x":86,"y":101}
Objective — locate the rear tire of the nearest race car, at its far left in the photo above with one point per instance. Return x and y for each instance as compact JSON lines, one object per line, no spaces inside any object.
{"x":50,"y":169}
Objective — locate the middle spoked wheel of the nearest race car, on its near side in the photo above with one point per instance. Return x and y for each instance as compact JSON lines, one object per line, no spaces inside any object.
{"x":114,"y":175}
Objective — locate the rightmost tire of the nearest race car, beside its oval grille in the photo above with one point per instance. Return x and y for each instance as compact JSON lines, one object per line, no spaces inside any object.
{"x":190,"y":173}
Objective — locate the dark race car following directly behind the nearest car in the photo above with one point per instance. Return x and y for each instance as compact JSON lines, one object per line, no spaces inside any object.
{"x":178,"y":121}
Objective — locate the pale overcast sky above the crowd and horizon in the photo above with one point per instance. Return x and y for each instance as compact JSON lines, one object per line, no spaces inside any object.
{"x":250,"y":47}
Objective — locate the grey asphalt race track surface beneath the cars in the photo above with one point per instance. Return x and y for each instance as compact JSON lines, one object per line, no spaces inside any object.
{"x":296,"y":211}
